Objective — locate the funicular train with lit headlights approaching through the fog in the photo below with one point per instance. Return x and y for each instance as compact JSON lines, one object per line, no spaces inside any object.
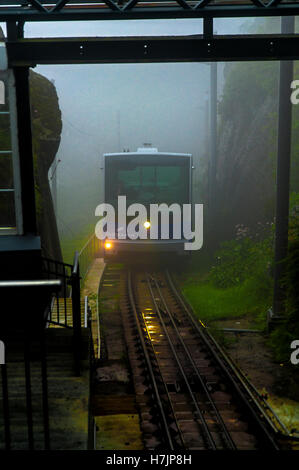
{"x":150,"y":178}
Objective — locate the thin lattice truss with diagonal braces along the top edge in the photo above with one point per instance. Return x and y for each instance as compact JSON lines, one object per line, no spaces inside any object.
{"x":49,"y":10}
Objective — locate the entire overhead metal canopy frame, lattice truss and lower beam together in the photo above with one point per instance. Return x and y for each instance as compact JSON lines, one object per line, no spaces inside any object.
{"x":205,"y":47}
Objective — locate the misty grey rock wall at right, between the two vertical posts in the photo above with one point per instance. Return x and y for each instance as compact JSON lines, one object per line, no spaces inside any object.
{"x":245,"y":177}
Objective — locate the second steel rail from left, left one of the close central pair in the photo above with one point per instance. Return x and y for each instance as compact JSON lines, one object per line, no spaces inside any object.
{"x":202,"y":422}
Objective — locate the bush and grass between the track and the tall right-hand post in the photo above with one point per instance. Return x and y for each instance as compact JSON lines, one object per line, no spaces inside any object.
{"x":239,"y":282}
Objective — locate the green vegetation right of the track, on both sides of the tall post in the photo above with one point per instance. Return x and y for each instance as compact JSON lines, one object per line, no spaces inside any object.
{"x":240,"y":284}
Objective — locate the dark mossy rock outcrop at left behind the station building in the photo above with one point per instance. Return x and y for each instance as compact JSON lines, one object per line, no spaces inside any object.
{"x":46,"y":129}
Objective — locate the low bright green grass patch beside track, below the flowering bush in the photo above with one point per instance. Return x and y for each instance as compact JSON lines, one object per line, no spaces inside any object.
{"x":211,"y":303}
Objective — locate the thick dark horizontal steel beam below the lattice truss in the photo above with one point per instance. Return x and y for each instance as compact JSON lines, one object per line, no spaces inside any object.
{"x":29,"y":52}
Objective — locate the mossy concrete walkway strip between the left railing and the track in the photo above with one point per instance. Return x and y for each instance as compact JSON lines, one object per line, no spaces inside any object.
{"x":113,"y":402}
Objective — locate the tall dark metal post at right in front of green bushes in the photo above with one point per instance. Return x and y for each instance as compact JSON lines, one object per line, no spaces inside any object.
{"x":283,"y":174}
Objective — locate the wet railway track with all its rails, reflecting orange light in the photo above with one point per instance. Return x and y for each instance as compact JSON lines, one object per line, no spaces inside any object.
{"x":189,"y":395}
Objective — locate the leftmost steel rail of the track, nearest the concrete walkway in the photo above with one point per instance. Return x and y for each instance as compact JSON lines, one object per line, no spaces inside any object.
{"x":148,"y":362}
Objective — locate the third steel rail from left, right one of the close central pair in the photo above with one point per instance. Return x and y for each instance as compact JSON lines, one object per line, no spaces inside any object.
{"x":227,"y":435}
